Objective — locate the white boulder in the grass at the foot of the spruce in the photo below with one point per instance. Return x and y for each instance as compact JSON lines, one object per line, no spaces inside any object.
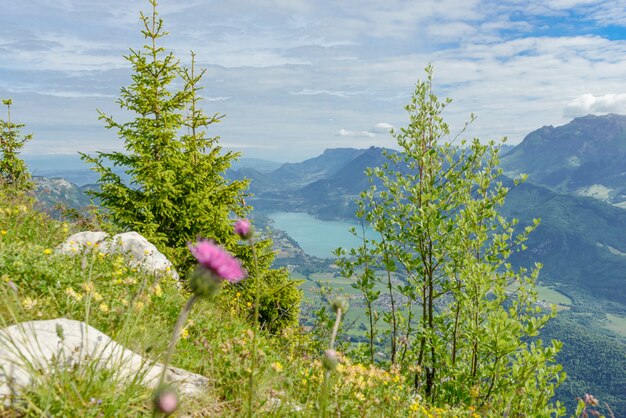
{"x":133,"y":245}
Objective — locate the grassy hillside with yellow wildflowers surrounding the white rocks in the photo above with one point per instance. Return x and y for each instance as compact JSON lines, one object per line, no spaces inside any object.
{"x":139,"y":311}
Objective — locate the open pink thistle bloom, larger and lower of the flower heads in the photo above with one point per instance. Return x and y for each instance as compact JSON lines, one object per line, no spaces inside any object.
{"x":218,"y":261}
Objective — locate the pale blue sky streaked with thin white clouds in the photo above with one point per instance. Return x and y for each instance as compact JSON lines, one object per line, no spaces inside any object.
{"x":295,"y":77}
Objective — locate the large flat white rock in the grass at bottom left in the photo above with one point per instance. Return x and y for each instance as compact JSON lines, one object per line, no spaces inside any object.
{"x":28,"y":350}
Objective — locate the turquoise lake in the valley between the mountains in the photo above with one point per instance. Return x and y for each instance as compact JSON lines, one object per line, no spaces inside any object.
{"x":316,"y":237}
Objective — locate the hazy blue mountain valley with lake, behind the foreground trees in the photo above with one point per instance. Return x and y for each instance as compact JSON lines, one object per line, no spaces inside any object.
{"x":307,"y":208}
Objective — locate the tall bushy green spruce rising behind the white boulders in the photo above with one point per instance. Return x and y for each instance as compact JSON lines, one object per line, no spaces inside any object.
{"x":175,"y":189}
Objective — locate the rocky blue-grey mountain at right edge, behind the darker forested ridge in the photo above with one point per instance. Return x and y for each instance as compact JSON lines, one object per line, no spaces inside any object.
{"x":586,"y":157}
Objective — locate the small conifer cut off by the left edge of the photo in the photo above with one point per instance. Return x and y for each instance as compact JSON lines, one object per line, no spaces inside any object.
{"x":13,"y":170}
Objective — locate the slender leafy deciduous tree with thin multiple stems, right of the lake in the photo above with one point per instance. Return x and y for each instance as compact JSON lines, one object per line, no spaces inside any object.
{"x":467,"y":325}
